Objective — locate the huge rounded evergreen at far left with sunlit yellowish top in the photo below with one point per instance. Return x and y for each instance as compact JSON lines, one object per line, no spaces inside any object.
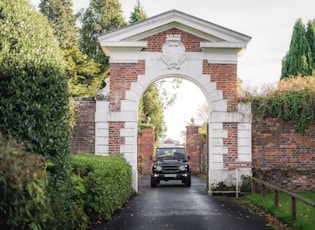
{"x":34,"y":97}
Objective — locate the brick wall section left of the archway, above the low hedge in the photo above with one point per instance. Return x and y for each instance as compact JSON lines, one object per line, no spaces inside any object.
{"x":83,"y":133}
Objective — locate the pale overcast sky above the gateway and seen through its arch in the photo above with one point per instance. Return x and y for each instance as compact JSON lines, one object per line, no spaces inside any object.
{"x":269,"y":23}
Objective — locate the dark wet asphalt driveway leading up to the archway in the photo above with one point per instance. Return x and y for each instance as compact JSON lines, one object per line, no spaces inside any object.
{"x":172,"y":206}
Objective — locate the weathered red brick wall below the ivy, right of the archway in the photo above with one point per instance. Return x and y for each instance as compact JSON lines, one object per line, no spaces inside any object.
{"x":282,"y":156}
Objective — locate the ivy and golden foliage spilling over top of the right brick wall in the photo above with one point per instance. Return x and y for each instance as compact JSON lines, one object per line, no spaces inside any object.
{"x":294,"y":100}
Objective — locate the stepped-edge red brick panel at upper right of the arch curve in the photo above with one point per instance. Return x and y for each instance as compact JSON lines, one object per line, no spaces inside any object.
{"x":225,"y":75}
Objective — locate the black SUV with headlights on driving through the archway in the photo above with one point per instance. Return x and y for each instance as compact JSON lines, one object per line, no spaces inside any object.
{"x":170,"y":164}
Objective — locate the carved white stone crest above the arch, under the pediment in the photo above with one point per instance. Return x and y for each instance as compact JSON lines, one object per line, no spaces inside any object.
{"x":173,"y":51}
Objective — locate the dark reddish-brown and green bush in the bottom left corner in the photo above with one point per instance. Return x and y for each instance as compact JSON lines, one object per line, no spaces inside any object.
{"x":23,"y":181}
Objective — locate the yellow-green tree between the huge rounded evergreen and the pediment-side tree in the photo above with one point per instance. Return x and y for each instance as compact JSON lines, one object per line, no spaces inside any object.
{"x":80,"y":71}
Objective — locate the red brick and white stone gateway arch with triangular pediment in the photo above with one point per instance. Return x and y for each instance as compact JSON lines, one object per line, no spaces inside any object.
{"x":174,"y":44}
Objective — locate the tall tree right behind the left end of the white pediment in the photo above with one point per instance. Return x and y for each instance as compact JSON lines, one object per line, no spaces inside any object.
{"x":101,"y":16}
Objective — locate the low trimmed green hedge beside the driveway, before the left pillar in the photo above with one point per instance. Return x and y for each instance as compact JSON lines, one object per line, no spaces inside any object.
{"x":101,"y":186}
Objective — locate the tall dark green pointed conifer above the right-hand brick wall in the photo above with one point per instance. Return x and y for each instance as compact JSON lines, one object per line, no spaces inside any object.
{"x":298,"y":59}
